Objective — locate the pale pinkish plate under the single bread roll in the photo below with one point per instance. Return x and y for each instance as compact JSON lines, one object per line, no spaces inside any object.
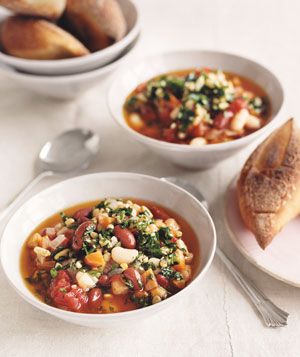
{"x":281,"y":257}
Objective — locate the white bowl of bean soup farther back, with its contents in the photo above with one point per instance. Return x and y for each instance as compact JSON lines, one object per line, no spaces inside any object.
{"x":145,"y":123}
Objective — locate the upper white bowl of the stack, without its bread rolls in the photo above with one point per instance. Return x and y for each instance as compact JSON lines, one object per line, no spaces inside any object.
{"x":84,"y":63}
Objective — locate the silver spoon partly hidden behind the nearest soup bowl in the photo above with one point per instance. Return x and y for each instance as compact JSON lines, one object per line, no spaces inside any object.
{"x":272,"y":315}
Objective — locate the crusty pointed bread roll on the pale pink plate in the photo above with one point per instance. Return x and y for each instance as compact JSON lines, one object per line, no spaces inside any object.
{"x":269,"y":184}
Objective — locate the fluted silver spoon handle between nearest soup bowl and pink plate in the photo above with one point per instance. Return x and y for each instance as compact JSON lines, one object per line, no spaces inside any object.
{"x":272,"y":315}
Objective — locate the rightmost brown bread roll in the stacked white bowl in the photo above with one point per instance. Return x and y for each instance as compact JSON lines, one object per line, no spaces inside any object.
{"x":97,"y":23}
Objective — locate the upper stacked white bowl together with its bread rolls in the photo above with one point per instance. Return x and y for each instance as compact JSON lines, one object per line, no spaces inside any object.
{"x":64,"y":37}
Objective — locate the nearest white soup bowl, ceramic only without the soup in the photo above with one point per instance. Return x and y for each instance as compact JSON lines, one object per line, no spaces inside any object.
{"x":96,"y":187}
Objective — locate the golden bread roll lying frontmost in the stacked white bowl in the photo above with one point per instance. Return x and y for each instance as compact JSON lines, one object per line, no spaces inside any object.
{"x":38,"y":39}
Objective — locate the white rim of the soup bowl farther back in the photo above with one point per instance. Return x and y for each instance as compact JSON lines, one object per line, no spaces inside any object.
{"x":189,"y":148}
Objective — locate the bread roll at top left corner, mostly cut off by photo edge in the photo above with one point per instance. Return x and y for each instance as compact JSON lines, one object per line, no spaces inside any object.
{"x":50,"y":9}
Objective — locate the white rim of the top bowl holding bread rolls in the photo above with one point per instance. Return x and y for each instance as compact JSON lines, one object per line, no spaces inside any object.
{"x":66,"y":62}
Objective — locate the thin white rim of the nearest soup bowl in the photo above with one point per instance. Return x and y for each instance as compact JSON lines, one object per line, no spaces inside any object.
{"x":55,"y":311}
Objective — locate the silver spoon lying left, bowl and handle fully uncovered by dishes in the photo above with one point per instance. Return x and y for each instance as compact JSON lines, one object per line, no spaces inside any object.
{"x":68,"y":152}
